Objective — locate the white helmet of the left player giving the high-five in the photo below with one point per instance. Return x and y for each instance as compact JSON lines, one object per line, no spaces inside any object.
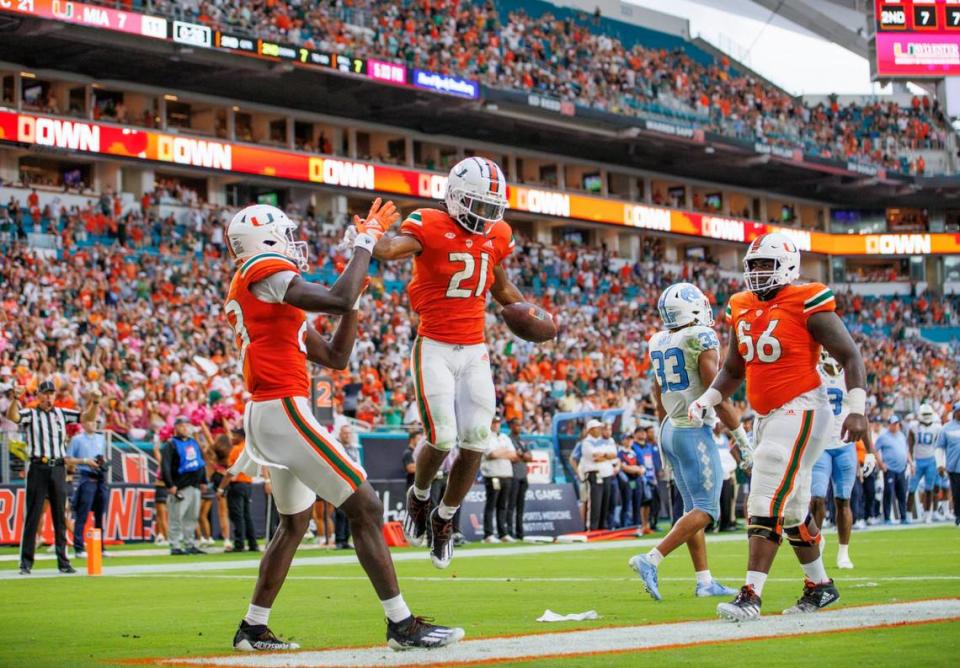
{"x":262,"y":228}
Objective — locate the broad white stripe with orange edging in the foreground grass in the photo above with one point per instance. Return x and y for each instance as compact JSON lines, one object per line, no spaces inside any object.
{"x":603,"y":640}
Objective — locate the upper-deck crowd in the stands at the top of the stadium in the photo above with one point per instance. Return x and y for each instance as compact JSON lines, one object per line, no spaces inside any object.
{"x":574,"y":60}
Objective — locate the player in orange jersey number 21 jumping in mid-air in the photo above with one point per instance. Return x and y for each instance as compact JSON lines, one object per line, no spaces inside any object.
{"x":457,"y":255}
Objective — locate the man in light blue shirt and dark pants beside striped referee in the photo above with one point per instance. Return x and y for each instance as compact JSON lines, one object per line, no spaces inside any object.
{"x":87,"y":451}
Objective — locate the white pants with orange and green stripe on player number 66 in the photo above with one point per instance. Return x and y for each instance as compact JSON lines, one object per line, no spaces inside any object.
{"x":789,"y":442}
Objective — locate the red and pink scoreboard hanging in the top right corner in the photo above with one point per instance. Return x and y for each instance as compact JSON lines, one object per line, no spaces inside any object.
{"x":917,"y":38}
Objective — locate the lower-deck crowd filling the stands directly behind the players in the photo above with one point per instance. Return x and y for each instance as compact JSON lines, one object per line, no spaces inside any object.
{"x":135,"y":306}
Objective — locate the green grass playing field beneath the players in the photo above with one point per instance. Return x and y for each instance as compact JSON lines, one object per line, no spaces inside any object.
{"x":71,"y":620}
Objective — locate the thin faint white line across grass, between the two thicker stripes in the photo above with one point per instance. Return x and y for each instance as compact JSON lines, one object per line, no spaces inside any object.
{"x":421,"y":578}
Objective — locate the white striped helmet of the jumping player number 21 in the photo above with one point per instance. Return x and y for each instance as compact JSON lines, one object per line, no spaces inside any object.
{"x":476,"y":193}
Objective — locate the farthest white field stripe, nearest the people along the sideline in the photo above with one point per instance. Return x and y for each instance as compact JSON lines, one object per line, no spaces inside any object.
{"x":190,"y":566}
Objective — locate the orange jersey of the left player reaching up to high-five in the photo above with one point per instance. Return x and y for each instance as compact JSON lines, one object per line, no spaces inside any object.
{"x":271,"y":337}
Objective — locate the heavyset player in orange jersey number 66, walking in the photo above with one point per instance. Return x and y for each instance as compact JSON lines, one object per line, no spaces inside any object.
{"x":778,"y":329}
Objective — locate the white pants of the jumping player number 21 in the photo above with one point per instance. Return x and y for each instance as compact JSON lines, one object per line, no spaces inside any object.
{"x":455,"y":396}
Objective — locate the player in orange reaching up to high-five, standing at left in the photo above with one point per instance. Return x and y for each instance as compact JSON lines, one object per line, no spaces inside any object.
{"x":266,"y":307}
